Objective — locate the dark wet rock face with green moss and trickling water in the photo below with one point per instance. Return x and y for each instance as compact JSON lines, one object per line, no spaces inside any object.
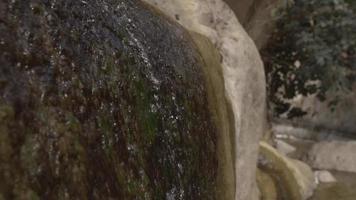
{"x":99,"y":100}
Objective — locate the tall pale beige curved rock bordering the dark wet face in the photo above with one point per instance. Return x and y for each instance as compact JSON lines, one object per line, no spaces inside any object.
{"x":244,"y":82}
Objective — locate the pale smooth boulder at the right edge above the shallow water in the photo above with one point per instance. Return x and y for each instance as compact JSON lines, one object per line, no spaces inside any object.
{"x":333,"y":155}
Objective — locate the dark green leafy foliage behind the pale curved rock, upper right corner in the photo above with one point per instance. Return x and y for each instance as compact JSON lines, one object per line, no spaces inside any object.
{"x":312,"y":51}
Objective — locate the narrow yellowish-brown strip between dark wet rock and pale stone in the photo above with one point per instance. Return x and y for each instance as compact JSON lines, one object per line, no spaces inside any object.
{"x":221,"y":113}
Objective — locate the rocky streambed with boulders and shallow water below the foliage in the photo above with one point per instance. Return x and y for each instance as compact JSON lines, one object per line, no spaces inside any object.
{"x":330,"y":159}
